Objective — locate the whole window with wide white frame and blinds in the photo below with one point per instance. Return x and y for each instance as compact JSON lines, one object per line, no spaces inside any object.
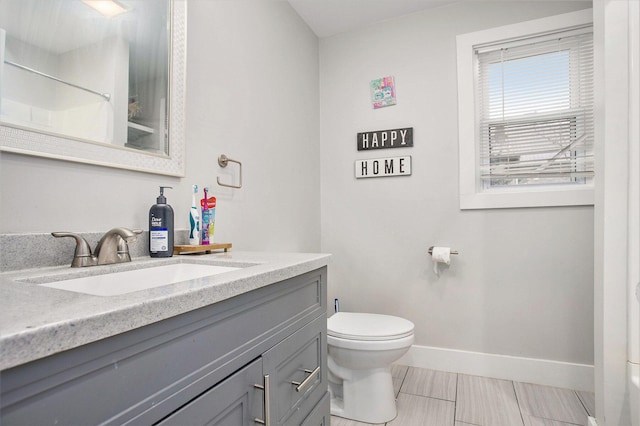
{"x":525,"y":99}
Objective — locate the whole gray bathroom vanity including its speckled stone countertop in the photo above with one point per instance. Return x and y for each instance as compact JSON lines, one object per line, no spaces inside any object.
{"x":240,"y":348}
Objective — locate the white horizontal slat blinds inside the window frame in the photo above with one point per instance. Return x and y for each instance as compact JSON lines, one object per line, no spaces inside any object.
{"x":535,"y":110}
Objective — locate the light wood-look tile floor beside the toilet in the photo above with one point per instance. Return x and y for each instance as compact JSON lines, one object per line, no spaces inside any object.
{"x":437,"y":398}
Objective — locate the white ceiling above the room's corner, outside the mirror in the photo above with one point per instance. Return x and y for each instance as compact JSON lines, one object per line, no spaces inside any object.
{"x":330,"y":17}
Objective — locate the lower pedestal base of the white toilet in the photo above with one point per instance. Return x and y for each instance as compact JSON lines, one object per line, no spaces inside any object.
{"x":368,"y":396}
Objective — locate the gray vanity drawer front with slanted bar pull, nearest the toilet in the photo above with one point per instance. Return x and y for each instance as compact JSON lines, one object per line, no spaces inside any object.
{"x":297,"y":370}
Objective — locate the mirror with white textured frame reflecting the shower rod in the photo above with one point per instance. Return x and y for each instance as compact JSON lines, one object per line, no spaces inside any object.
{"x":78,"y":85}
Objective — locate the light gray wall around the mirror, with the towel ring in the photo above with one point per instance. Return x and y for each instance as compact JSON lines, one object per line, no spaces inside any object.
{"x":252,"y":94}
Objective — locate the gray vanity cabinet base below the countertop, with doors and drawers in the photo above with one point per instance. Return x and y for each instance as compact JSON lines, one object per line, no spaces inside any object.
{"x":208,"y":366}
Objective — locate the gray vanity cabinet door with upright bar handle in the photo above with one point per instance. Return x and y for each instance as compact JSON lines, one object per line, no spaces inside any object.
{"x":235,"y":401}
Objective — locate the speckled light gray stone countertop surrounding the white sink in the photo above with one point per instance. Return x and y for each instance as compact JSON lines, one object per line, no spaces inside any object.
{"x":37,"y":321}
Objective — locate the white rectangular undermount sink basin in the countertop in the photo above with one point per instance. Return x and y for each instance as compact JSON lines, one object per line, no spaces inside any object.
{"x":117,"y":283}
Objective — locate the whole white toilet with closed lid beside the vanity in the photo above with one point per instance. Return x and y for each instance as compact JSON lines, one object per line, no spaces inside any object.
{"x":361,"y":350}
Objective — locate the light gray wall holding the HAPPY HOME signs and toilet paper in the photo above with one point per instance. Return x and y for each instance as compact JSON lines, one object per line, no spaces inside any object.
{"x":523,"y":282}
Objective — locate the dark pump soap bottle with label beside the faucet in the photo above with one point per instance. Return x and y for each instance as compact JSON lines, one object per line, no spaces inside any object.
{"x":161,"y":227}
